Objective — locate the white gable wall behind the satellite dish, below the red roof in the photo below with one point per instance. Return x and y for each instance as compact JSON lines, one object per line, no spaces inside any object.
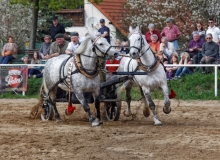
{"x":91,"y":11}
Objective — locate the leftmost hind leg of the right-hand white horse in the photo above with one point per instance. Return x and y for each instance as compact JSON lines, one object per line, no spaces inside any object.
{"x":128,"y":86}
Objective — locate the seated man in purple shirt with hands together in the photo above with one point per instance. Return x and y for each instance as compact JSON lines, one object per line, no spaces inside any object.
{"x":194,"y":47}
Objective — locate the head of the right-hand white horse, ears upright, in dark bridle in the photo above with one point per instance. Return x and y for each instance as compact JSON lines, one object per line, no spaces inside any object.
{"x":137,"y":41}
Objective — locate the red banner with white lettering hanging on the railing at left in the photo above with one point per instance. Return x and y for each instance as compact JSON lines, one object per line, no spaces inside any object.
{"x":13,"y":78}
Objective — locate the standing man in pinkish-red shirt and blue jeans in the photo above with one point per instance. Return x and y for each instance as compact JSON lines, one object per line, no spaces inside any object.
{"x":171,"y":32}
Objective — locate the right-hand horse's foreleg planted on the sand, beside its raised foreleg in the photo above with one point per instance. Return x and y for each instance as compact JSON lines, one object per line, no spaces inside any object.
{"x":152,"y":108}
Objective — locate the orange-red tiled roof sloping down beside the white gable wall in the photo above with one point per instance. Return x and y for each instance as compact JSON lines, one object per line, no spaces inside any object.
{"x":113,"y":9}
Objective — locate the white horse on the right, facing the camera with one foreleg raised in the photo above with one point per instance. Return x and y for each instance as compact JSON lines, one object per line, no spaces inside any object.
{"x":144,"y":60}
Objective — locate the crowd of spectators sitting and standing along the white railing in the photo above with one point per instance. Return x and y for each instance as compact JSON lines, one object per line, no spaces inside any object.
{"x":203,"y":47}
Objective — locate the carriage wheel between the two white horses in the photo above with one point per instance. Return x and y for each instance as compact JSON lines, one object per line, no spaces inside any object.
{"x":113,"y":109}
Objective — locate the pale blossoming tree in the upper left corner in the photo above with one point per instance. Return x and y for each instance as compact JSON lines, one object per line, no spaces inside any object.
{"x":15,"y":21}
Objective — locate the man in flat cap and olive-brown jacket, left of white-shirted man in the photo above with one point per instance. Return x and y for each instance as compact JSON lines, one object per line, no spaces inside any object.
{"x":59,"y":46}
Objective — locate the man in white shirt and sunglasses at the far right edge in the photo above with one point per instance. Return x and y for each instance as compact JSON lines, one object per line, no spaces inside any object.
{"x":215,"y":31}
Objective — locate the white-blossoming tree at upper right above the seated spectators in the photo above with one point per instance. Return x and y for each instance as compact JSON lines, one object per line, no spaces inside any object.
{"x":185,"y":13}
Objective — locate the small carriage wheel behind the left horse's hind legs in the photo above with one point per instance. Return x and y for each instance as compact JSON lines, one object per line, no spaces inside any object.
{"x":48,"y":112}
